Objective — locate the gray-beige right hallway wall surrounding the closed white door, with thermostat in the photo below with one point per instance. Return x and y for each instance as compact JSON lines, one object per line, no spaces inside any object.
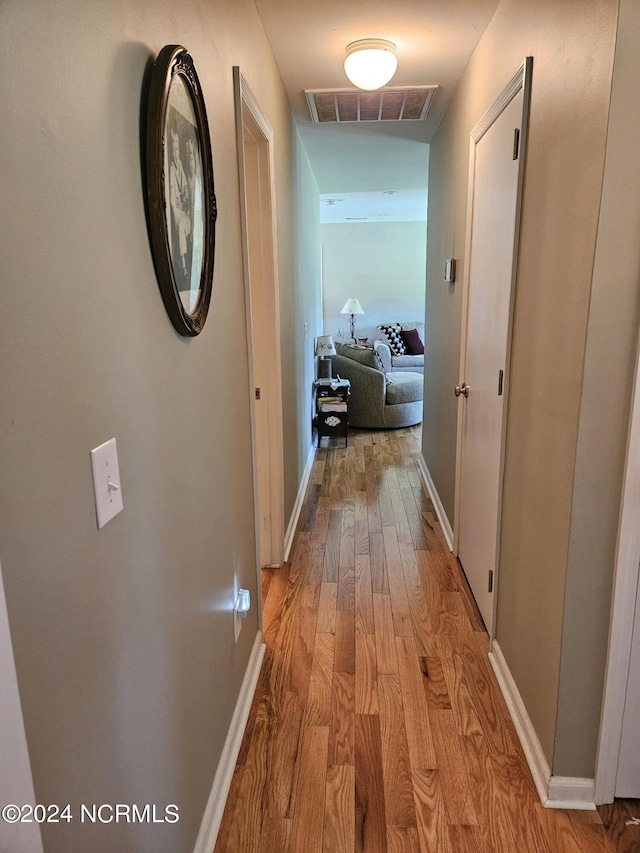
{"x":573,"y":49}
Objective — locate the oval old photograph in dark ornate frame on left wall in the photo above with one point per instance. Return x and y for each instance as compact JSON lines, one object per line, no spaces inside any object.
{"x":181,"y":201}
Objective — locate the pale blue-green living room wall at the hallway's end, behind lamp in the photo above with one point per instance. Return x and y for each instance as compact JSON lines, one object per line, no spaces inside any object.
{"x":383,"y":264}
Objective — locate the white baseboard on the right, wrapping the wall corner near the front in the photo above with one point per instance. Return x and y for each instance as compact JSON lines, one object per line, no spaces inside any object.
{"x":555,"y":792}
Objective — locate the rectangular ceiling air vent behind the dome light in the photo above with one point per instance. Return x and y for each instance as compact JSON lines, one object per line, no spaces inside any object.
{"x":402,"y":103}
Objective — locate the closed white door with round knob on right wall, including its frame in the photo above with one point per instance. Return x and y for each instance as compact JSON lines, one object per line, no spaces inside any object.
{"x":495,"y":178}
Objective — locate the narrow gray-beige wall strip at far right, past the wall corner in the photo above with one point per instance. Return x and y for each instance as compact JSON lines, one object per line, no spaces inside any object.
{"x":612,"y":336}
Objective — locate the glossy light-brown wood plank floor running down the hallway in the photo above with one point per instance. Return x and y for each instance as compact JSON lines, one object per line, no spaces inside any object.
{"x":377,"y":723}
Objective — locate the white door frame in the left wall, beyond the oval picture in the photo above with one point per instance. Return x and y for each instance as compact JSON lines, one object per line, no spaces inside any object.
{"x":250,"y":122}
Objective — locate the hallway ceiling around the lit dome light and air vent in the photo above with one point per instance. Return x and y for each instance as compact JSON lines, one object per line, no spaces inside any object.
{"x":434,"y":40}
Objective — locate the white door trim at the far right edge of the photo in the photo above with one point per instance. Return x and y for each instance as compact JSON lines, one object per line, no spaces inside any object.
{"x":625,"y":583}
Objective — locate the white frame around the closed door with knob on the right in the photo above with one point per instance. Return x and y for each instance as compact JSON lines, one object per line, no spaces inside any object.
{"x":520,"y":80}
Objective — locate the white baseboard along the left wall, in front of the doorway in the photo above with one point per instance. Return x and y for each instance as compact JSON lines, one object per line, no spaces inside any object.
{"x":212,"y":818}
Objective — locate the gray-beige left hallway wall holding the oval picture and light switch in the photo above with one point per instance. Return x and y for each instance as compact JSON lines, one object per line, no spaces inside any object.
{"x":123,"y":639}
